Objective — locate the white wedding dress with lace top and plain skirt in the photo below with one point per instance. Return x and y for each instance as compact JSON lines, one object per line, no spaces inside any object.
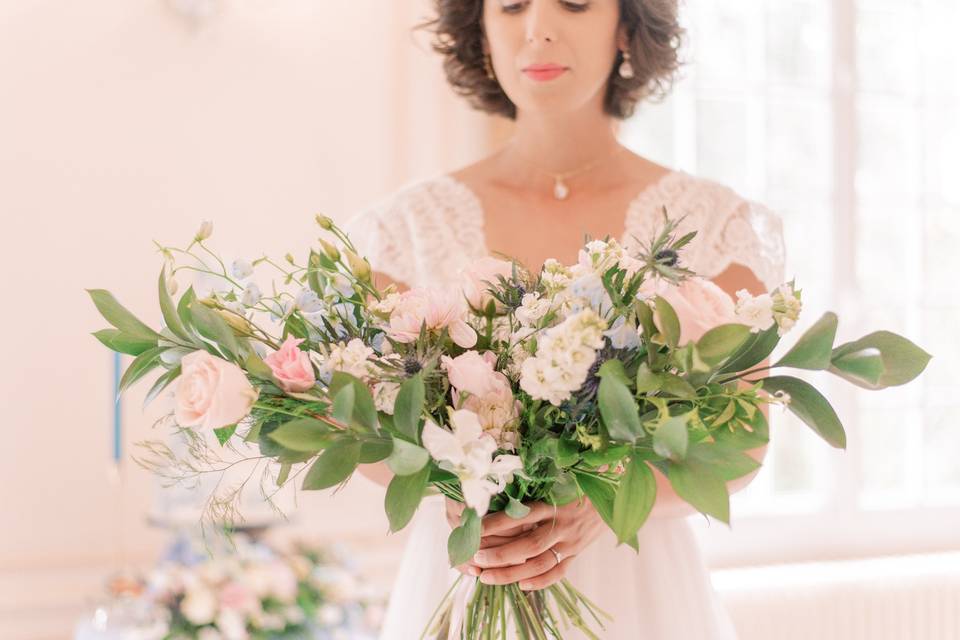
{"x":423,"y":235}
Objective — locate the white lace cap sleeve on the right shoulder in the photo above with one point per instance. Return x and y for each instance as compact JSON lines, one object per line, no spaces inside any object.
{"x":751,"y":234}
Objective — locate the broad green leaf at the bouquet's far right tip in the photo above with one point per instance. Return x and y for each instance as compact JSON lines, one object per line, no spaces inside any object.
{"x":902,"y":359}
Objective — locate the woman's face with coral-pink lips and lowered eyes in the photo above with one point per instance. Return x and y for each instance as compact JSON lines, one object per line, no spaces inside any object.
{"x":552,"y":55}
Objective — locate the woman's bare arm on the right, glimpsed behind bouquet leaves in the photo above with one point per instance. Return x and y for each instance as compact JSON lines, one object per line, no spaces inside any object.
{"x":669,"y":504}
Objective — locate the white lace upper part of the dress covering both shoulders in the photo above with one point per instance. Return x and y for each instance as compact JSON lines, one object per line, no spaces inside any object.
{"x":428,"y":230}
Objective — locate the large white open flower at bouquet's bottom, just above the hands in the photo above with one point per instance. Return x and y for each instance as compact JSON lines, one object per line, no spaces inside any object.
{"x":468,"y":453}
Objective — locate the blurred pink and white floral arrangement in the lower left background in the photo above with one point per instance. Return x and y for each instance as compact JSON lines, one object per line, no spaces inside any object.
{"x":256,"y":593}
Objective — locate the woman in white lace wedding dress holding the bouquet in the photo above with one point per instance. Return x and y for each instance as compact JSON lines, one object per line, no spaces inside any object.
{"x":565,"y":71}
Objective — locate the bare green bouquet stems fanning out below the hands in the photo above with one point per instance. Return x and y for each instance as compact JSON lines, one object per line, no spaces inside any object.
{"x":471,"y":610}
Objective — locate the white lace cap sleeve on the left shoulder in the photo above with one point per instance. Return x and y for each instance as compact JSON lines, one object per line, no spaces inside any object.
{"x":382,"y":235}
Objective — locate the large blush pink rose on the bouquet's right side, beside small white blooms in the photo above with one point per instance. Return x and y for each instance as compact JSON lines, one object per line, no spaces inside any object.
{"x":700,"y":304}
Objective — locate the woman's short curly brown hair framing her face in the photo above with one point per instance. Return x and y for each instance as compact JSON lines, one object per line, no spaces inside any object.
{"x":653,"y":30}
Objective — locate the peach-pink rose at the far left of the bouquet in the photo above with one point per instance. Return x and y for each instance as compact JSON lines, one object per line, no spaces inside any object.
{"x":211,"y":392}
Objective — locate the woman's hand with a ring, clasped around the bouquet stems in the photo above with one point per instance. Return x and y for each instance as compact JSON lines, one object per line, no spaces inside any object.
{"x":527,"y":557}
